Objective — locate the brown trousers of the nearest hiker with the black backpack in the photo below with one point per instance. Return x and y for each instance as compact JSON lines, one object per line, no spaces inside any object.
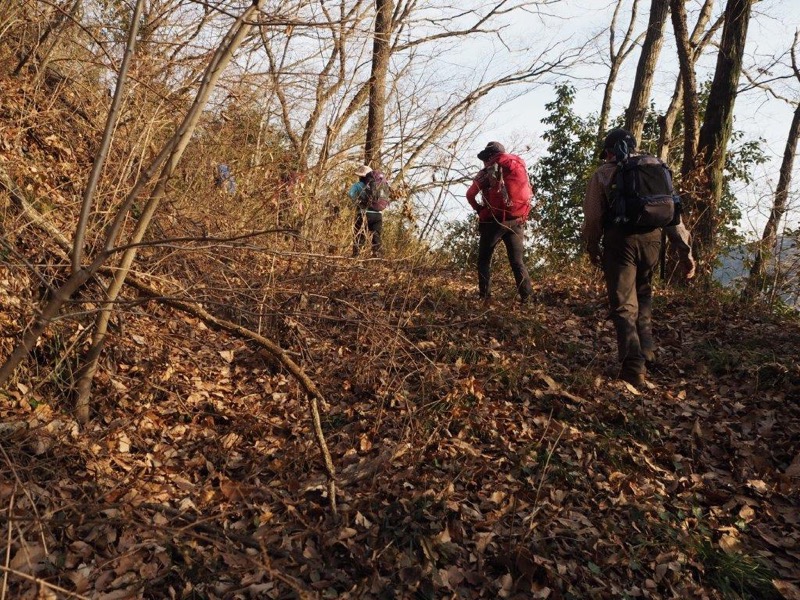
{"x":628,"y":265}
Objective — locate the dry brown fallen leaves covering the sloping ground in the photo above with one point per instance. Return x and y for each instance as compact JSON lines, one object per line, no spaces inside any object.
{"x":480,"y":453}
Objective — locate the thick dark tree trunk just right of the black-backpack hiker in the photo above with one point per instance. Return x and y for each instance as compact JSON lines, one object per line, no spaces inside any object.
{"x":717,"y":127}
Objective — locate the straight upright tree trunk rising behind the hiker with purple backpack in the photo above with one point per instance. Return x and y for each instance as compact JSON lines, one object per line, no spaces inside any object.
{"x":381,"y":51}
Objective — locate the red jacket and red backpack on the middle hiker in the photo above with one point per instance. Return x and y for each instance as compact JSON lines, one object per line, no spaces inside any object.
{"x":518,"y":186}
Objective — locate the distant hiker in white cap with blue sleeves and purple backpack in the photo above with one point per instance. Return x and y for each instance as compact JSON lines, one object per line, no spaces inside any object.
{"x":371,"y":195}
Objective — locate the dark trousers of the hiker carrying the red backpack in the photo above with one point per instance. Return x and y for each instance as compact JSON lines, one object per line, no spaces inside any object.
{"x":512,"y":233}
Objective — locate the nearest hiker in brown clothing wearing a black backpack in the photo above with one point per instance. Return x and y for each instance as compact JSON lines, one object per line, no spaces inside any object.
{"x":629,"y":201}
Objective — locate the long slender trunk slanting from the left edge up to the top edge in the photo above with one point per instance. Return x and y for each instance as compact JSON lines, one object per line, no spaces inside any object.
{"x":171,"y":153}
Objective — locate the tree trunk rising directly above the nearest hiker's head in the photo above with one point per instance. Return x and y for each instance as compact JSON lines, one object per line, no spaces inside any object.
{"x":645,"y":70}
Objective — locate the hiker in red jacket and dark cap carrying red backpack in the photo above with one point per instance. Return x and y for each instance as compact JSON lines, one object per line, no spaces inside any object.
{"x":506,"y":201}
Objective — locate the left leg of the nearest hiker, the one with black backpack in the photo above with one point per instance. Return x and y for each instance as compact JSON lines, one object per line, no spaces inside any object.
{"x":619,"y":267}
